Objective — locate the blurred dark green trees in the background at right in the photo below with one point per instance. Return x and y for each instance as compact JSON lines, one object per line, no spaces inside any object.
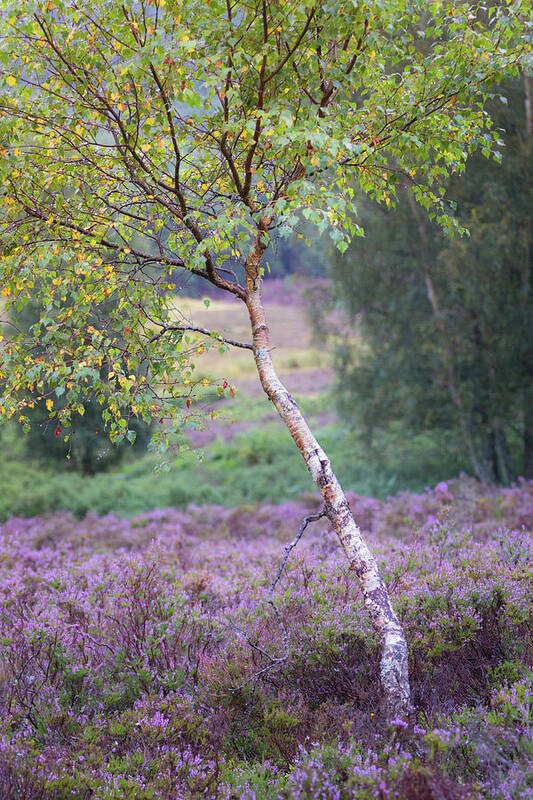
{"x":447,"y":322}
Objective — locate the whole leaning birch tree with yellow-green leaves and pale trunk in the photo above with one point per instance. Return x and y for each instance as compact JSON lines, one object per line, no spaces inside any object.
{"x":145,"y":138}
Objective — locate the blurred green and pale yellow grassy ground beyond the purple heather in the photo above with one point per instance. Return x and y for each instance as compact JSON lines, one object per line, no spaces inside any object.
{"x":253,"y":460}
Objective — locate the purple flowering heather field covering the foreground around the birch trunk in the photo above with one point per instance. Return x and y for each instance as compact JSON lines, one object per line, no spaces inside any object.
{"x":135,"y":652}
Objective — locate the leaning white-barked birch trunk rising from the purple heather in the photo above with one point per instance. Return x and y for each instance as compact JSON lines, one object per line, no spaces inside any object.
{"x":393,"y":668}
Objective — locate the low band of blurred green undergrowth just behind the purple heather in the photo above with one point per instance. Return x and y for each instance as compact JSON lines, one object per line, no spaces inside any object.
{"x":254,"y":466}
